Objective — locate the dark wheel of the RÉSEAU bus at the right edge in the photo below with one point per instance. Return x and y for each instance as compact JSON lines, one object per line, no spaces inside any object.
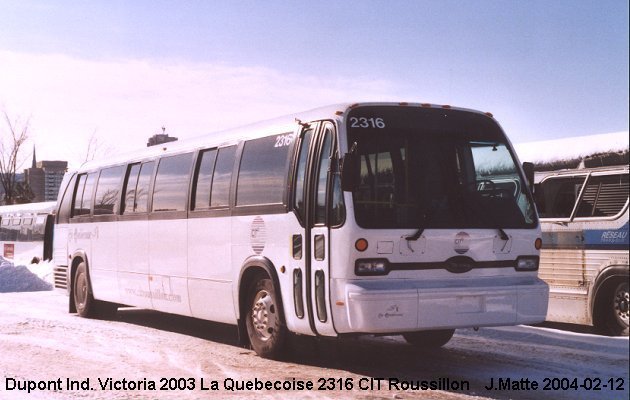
{"x":611,"y":312}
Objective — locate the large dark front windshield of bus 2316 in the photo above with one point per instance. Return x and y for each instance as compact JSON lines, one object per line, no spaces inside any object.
{"x":435,"y":168}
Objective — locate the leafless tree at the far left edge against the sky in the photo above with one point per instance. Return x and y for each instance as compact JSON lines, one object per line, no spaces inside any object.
{"x":10,"y":143}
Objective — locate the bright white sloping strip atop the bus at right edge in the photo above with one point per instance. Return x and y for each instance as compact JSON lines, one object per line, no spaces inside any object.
{"x":571,"y":147}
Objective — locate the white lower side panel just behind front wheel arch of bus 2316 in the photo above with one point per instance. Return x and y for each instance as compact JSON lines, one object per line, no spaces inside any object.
{"x":209,"y":269}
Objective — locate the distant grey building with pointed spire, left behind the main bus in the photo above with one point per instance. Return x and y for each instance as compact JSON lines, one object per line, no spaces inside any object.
{"x":44,"y":178}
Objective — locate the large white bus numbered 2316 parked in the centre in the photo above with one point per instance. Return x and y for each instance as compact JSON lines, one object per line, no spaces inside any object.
{"x":372,"y":218}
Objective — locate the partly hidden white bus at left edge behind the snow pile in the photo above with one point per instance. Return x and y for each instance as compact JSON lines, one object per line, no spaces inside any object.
{"x":26,"y":232}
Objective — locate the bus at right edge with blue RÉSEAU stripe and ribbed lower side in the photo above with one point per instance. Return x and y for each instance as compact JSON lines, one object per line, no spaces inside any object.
{"x":584,"y":259}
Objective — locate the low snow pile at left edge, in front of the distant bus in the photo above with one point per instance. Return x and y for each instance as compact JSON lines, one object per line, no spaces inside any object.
{"x":21,"y":278}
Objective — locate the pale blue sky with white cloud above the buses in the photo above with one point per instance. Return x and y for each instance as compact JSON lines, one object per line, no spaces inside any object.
{"x":119,"y":70}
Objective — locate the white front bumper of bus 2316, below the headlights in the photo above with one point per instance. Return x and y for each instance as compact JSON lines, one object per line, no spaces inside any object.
{"x":406,"y":305}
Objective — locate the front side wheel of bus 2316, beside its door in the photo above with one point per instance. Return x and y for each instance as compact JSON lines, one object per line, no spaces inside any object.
{"x":265,"y":326}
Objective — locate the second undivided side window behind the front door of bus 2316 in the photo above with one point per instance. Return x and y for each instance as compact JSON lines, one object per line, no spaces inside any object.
{"x":171,"y":183}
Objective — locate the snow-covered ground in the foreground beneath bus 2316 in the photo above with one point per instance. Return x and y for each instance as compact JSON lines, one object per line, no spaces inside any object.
{"x":40,"y":341}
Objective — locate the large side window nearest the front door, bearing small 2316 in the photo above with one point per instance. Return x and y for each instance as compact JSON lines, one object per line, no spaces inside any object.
{"x":263,"y":170}
